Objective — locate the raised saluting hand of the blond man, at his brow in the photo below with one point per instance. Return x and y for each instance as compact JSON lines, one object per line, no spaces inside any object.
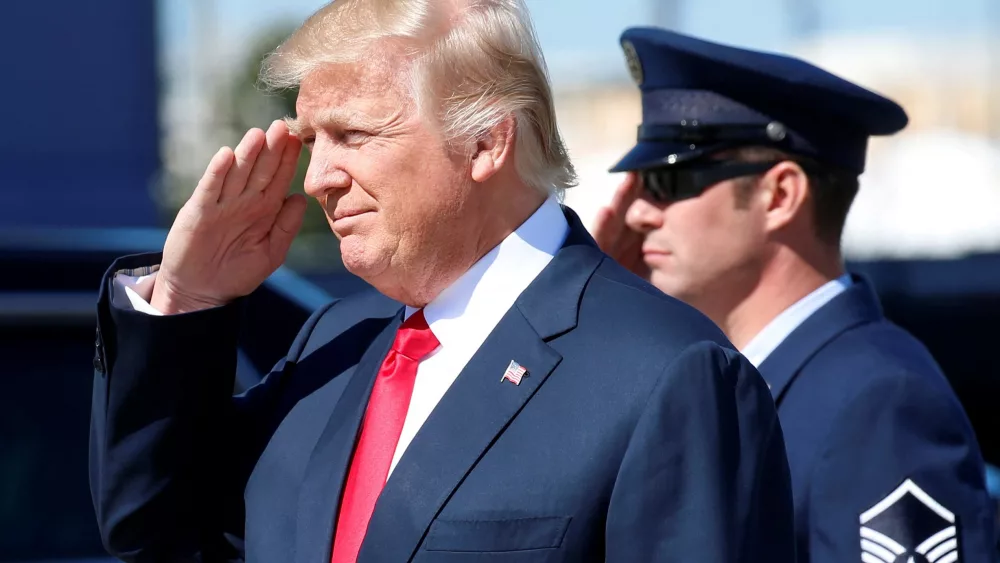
{"x":236,"y":228}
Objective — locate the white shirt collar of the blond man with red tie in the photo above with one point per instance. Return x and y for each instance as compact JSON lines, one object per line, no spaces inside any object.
{"x":470,"y":308}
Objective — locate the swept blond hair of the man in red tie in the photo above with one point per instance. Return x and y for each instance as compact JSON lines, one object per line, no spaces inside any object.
{"x":474,"y":63}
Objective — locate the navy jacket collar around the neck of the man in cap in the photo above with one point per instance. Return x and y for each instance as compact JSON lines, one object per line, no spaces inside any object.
{"x":855,"y":306}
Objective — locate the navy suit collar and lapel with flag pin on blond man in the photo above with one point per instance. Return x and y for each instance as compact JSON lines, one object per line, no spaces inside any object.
{"x":480,"y":404}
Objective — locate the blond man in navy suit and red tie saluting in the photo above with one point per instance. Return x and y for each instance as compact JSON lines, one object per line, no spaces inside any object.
{"x":509,"y":394}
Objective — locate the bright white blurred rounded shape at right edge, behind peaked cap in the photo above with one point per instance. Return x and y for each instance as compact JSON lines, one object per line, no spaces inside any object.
{"x":932,"y":194}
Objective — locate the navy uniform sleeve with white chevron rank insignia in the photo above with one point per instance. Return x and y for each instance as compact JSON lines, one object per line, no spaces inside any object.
{"x":901,"y":479}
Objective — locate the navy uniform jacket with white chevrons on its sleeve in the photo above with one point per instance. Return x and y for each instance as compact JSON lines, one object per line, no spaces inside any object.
{"x":878,"y":444}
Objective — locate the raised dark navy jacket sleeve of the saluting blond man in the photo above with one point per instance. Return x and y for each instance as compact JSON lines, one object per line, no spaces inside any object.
{"x":171,"y":447}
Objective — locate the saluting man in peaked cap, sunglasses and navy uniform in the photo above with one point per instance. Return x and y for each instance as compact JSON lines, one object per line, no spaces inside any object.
{"x":739,"y":187}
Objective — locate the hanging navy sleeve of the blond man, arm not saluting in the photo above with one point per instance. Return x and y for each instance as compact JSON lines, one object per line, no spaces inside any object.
{"x":705,"y":476}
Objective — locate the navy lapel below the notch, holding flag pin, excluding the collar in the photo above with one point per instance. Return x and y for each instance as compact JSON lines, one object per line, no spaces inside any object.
{"x":476,"y":408}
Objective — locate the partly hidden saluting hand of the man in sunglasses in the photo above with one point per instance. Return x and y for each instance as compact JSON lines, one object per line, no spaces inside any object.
{"x":614,"y":236}
